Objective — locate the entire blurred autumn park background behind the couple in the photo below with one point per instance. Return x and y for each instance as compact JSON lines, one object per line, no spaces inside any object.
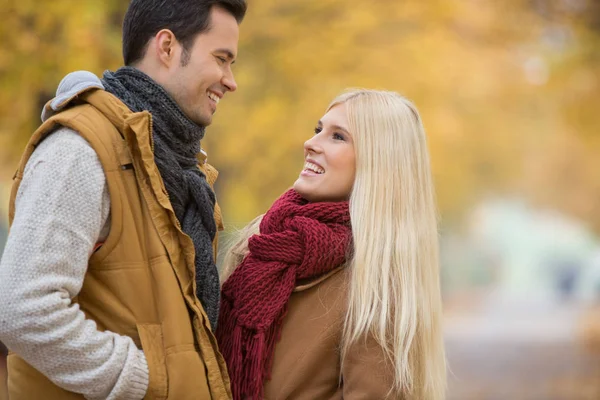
{"x":509,"y":92}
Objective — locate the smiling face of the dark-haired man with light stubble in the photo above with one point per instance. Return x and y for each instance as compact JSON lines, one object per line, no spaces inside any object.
{"x":198,"y":81}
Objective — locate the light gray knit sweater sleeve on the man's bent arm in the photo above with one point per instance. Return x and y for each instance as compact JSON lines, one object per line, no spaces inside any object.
{"x":61,"y":206}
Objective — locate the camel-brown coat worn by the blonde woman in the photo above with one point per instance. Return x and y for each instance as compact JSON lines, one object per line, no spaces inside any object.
{"x":307,"y":363}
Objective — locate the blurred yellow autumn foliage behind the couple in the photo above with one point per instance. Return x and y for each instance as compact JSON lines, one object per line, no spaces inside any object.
{"x":508,"y":90}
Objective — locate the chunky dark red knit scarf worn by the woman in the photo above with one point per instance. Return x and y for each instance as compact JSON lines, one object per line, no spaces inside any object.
{"x":297,"y":240}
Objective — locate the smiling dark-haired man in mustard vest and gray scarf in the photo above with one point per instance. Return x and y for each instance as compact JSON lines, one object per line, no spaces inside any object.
{"x":108,"y":286}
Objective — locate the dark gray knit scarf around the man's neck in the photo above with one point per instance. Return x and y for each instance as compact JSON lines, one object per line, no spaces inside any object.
{"x":176,"y":144}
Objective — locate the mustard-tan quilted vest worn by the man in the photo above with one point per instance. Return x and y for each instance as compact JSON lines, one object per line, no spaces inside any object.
{"x":140,"y":283}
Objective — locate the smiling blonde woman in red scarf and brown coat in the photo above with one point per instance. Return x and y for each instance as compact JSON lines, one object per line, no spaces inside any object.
{"x":334,"y":293}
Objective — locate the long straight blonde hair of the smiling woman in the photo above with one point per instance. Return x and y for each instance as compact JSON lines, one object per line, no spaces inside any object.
{"x":394,"y":289}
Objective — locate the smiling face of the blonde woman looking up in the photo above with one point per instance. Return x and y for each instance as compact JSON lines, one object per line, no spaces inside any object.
{"x":329,"y":160}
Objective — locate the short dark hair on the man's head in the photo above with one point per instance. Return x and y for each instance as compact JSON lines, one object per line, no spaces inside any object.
{"x":185,"y":18}
